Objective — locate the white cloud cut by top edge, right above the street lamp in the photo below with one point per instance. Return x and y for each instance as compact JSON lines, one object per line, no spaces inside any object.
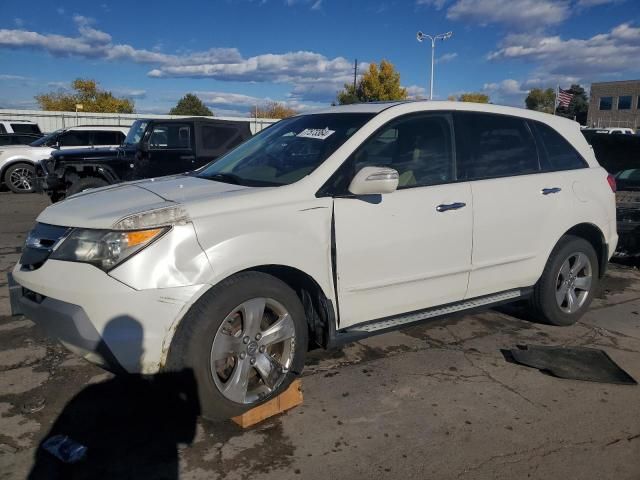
{"x":518,"y":14}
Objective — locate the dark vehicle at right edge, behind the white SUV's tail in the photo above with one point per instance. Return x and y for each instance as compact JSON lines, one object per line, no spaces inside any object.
{"x":620,"y":155}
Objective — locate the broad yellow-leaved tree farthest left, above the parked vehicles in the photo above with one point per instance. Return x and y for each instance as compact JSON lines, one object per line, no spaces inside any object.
{"x":86,"y":93}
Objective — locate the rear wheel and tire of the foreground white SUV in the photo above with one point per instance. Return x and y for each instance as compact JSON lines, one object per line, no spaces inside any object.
{"x":567,"y":285}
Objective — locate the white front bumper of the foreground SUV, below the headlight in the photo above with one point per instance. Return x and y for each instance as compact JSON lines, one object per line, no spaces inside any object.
{"x":98,"y":317}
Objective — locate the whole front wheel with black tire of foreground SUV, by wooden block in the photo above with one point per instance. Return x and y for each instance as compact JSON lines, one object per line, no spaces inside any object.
{"x":245,"y":340}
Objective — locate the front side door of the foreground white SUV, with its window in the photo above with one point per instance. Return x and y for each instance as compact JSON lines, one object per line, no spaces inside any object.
{"x":411,"y":249}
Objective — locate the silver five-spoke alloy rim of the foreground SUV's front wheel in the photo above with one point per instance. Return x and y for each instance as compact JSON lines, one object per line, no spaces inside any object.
{"x":253,"y":350}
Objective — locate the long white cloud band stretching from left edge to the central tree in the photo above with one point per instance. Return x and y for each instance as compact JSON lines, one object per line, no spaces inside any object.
{"x":314,"y":76}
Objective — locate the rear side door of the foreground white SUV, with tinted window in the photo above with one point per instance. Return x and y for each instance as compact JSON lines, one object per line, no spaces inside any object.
{"x":518,"y":208}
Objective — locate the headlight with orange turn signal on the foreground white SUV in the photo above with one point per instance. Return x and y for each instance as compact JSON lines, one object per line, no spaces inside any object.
{"x":104,"y":248}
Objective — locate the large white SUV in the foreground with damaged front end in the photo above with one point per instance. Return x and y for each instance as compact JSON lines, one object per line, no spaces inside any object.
{"x":323,"y":228}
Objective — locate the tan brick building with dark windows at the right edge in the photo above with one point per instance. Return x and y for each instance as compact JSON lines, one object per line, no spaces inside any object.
{"x":615,"y":104}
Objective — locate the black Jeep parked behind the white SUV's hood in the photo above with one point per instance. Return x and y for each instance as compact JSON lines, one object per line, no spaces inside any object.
{"x":153,"y":148}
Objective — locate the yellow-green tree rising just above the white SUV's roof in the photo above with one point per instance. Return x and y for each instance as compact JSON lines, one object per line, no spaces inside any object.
{"x":376,"y":84}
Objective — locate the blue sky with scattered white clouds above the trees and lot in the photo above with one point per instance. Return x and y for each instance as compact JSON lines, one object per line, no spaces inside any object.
{"x":235,"y":53}
